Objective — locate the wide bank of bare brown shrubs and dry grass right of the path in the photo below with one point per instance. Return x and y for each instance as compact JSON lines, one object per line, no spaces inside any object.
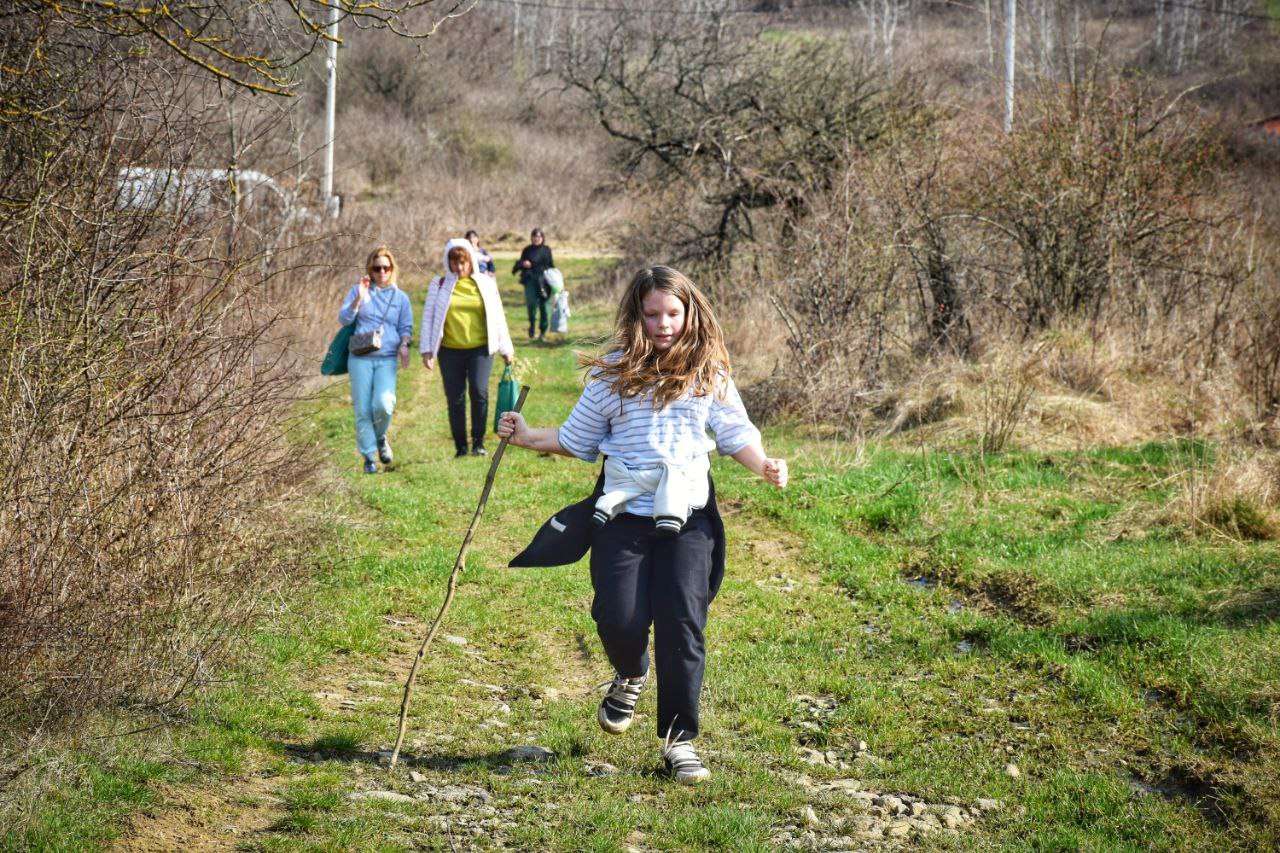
{"x":1101,"y":238}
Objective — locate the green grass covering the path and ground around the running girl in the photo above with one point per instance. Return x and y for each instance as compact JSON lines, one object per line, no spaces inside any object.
{"x":1050,"y":622}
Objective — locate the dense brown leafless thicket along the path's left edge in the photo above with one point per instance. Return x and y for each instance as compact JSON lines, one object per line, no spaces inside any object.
{"x":143,"y":408}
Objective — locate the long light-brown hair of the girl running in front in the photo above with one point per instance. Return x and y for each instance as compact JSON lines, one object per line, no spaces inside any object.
{"x":697,"y":363}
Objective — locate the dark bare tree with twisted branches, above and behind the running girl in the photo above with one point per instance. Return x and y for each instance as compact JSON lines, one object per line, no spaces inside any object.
{"x":725,"y":129}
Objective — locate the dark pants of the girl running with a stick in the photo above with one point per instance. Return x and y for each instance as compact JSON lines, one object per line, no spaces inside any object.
{"x":643,"y":580}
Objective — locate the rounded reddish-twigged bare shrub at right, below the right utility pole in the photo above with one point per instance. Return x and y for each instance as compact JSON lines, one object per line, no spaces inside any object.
{"x":1105,"y":198}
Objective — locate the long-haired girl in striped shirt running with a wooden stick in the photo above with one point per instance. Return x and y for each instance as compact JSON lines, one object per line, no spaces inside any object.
{"x":657,"y":546}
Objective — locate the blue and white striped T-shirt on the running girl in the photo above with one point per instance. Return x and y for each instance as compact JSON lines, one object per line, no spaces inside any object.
{"x":642,"y":437}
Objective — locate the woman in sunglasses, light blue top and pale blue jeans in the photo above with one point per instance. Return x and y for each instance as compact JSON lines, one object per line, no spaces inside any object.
{"x":376,"y":303}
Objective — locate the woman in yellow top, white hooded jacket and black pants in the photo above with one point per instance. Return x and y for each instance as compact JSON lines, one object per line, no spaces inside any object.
{"x":464,"y":326}
